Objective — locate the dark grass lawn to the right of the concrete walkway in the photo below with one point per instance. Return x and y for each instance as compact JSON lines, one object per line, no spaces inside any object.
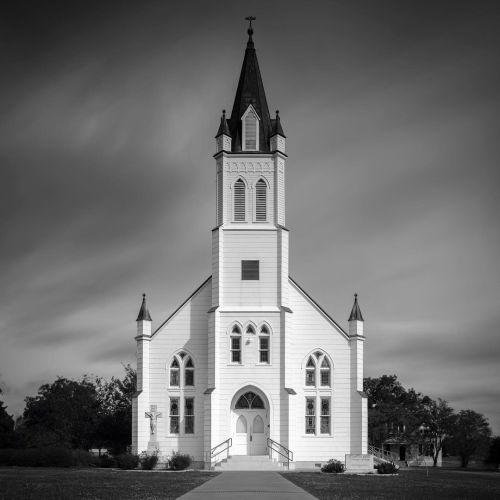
{"x":408,"y":484}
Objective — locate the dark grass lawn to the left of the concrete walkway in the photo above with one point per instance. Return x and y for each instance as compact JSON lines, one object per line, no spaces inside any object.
{"x":91,"y":484}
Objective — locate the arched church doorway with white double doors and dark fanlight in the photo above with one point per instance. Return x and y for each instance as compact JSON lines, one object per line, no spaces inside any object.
{"x":250,"y":423}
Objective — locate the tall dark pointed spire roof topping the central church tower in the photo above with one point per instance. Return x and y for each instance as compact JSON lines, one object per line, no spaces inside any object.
{"x":250,"y":91}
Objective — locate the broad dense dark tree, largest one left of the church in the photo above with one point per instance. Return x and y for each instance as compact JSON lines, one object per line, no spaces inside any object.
{"x":62,"y":413}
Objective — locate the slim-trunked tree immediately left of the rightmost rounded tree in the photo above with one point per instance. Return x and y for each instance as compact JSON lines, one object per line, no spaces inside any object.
{"x":438,"y":420}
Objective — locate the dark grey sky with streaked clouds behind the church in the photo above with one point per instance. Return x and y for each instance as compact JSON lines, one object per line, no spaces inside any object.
{"x":391,"y":111}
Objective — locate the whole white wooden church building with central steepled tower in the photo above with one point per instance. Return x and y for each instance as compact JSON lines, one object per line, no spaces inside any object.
{"x":250,"y":364}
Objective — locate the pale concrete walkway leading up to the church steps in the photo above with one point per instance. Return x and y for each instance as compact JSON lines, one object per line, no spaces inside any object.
{"x":248,"y":485}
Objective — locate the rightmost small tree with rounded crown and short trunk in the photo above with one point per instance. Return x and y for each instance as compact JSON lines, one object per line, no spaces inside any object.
{"x":471,"y":434}
